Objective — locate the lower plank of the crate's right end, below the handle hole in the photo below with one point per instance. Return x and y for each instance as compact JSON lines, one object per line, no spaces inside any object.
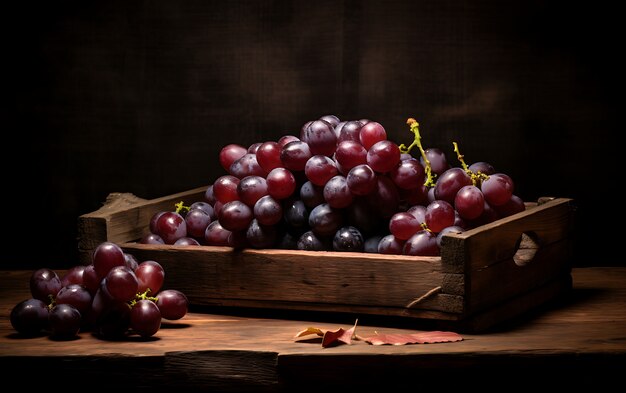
{"x":498,"y":282}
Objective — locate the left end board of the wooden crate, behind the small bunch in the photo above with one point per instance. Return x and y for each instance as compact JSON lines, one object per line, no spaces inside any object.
{"x":125,"y":217}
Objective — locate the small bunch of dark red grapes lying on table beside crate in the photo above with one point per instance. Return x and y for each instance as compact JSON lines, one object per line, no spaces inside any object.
{"x":112,"y":296}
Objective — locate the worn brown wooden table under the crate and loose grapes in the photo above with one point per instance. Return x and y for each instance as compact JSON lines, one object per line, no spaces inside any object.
{"x":580,"y":342}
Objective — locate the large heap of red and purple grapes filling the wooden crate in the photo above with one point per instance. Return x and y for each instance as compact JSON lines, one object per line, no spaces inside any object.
{"x":338,"y":186}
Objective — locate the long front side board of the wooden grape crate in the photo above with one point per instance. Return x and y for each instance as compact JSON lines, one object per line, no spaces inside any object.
{"x":300,"y":276}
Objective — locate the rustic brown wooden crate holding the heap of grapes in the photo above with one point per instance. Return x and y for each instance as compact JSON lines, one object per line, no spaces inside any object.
{"x":484,"y":276}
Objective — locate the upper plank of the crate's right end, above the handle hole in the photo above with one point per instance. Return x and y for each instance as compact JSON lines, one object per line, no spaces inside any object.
{"x":497,"y":241}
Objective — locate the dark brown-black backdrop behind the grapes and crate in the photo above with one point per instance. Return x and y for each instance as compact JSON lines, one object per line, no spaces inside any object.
{"x":139,"y":96}
